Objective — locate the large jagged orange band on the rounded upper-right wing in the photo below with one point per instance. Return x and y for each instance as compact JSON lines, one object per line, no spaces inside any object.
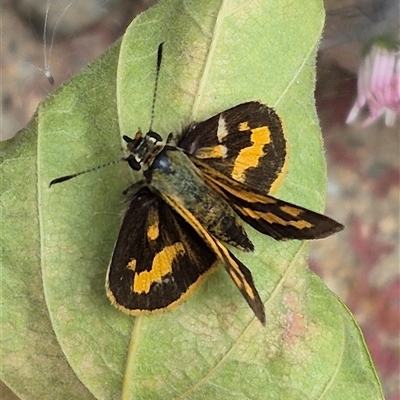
{"x":250,"y":156}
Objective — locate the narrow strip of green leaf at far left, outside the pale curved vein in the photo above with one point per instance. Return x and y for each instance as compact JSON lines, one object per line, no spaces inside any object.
{"x":32,"y":362}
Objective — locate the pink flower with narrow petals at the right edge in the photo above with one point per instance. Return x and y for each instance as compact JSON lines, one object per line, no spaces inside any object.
{"x":378,"y":85}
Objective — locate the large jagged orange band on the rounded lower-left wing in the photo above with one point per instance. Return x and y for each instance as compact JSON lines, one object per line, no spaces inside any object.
{"x":162,"y":265}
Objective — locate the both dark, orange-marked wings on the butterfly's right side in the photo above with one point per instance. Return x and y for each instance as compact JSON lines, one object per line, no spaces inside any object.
{"x":242,"y":154}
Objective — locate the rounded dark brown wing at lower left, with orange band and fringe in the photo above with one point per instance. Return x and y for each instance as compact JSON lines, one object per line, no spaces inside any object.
{"x":158,"y":257}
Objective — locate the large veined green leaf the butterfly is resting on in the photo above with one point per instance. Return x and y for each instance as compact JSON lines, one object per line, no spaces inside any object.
{"x":57,"y":242}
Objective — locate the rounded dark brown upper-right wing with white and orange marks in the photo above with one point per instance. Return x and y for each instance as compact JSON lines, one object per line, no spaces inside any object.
{"x":245,"y":143}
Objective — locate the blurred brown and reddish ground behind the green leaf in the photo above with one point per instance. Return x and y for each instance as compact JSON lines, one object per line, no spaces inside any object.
{"x":361,"y":264}
